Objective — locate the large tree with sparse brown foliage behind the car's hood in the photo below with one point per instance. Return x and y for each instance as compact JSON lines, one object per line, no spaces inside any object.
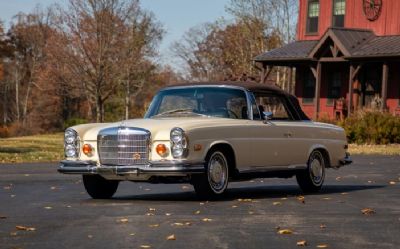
{"x":99,"y":45}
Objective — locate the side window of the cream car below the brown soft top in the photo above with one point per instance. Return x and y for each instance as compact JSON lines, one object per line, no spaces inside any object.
{"x":274,"y":104}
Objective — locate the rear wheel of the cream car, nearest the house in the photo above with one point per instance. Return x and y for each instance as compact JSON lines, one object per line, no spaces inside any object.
{"x":311,"y":179}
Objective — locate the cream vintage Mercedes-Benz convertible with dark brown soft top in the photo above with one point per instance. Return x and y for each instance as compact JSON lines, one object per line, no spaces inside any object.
{"x":207,"y":134}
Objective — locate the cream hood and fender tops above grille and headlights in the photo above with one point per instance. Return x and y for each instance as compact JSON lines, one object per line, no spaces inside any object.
{"x":159,"y":127}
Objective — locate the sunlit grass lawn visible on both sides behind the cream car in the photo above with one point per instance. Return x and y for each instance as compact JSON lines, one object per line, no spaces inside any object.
{"x":49,"y":148}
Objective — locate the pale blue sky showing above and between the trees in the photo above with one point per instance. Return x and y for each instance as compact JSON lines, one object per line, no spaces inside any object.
{"x":177,"y":16}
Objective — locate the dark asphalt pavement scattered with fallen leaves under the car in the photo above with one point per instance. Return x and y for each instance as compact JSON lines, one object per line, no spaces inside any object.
{"x":359,"y":207}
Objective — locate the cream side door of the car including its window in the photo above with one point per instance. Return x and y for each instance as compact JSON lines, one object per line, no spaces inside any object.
{"x":272,"y":143}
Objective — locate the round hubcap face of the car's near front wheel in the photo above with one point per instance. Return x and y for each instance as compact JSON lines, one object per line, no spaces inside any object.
{"x":218,"y":172}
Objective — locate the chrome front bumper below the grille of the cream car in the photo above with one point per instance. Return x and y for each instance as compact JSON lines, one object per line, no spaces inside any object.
{"x":166,"y":168}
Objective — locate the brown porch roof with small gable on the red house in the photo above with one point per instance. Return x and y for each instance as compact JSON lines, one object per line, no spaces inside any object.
{"x":353,"y":43}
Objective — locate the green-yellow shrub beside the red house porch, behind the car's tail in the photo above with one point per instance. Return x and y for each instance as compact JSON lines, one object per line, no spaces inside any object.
{"x":372,"y":127}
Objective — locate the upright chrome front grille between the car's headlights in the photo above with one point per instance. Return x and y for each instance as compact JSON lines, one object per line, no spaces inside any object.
{"x":123,"y":146}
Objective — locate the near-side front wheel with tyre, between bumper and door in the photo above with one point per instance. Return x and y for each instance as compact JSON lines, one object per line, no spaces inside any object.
{"x":214,"y":182}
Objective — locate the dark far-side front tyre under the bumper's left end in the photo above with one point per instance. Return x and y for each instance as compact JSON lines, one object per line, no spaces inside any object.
{"x":98,"y":187}
